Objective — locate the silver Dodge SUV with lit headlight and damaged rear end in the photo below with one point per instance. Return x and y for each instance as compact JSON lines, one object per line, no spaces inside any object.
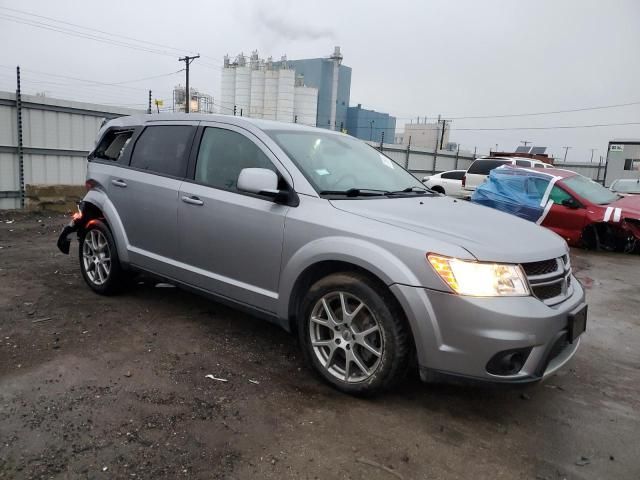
{"x":328,"y":238}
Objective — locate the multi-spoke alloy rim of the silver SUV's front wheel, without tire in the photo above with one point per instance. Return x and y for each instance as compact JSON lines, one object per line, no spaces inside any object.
{"x":346,"y":337}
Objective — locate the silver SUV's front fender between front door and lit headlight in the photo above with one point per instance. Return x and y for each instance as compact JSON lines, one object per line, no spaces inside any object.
{"x":316,"y":232}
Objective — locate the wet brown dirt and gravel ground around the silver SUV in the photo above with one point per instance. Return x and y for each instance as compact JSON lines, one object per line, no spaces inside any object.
{"x":116,"y":387}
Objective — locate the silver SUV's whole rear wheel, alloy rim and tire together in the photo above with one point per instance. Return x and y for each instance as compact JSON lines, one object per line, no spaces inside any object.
{"x":99,"y":261}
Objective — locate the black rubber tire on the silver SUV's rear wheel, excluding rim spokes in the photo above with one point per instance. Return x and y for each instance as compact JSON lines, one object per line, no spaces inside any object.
{"x":114,"y":279}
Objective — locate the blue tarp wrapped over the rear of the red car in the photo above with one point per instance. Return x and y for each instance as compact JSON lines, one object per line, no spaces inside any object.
{"x":514,"y":190}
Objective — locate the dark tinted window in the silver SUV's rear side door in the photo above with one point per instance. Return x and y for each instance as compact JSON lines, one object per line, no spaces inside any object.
{"x":163,"y":149}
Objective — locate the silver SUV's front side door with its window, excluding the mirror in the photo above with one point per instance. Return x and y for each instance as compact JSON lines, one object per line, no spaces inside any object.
{"x":231,"y":241}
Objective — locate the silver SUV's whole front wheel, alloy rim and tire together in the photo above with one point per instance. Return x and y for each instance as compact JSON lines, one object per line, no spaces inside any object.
{"x":353,"y":334}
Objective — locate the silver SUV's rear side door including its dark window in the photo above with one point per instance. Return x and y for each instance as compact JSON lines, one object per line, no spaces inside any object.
{"x":145,"y":193}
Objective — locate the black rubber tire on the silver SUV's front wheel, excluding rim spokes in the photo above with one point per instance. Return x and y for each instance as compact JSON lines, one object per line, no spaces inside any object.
{"x":392,"y":336}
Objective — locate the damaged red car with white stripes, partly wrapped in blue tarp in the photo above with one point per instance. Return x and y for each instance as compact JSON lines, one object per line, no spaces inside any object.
{"x":580,"y":210}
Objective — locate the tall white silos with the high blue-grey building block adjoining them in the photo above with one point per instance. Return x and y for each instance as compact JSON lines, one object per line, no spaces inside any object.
{"x":312,"y":92}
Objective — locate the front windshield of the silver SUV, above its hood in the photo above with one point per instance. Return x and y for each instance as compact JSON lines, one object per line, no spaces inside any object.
{"x":339,"y":163}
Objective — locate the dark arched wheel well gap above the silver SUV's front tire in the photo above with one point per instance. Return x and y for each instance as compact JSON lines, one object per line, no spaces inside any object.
{"x":320,"y":270}
